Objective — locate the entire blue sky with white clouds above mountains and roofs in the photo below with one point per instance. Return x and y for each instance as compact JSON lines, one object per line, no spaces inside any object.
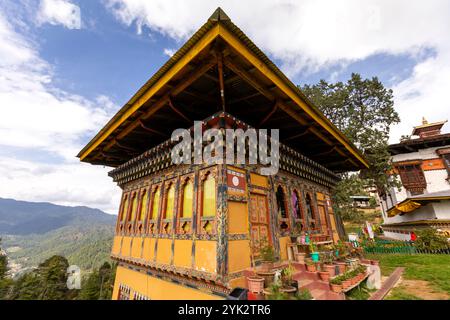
{"x":66,"y":66}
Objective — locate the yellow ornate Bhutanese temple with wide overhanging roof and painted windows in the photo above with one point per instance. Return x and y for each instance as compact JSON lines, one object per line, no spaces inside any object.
{"x":190,"y":231}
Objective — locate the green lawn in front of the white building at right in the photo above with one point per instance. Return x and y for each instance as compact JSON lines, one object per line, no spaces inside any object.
{"x":432,"y":268}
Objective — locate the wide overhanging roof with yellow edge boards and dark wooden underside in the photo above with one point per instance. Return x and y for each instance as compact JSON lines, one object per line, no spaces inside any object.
{"x":219,"y":67}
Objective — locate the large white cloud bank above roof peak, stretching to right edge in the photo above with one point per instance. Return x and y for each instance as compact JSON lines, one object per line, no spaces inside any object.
{"x":312,"y":35}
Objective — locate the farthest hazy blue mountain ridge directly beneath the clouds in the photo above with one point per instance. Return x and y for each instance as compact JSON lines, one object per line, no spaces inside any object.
{"x":25,"y":218}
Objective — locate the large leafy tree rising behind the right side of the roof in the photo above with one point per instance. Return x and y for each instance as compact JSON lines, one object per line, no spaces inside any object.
{"x":363,"y":109}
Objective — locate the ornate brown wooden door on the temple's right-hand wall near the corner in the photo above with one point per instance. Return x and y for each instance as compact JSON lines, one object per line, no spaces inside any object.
{"x":259,"y":222}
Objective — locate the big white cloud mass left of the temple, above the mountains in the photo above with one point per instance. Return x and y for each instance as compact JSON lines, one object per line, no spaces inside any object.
{"x":37,"y":118}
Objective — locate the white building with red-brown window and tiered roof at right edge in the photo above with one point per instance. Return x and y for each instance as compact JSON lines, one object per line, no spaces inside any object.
{"x":423,"y":165}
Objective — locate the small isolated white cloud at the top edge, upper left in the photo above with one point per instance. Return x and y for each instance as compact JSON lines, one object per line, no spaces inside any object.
{"x":59,"y":12}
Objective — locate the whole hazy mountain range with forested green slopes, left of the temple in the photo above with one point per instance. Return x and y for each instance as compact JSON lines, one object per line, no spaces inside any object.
{"x":34,"y":231}
